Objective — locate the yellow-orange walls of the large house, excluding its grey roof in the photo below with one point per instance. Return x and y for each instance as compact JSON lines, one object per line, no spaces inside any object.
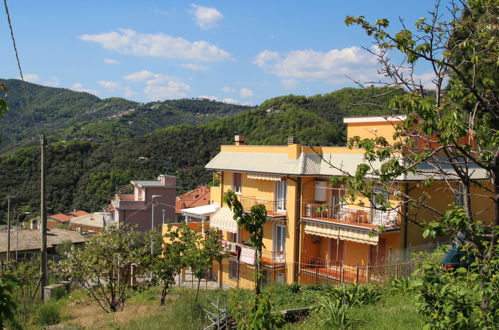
{"x":353,"y":236}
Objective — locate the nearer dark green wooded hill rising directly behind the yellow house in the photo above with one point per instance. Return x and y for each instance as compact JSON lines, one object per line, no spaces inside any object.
{"x":84,"y":174}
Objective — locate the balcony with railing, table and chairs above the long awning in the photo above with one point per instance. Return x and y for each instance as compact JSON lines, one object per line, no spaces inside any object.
{"x":366,"y":217}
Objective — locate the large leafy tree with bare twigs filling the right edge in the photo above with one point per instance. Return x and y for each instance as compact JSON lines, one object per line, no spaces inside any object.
{"x":453,"y":130}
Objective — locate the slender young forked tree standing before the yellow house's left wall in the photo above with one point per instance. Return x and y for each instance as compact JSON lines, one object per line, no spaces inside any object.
{"x":253,"y":223}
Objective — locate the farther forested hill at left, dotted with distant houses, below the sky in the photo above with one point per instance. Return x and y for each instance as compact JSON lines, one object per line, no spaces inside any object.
{"x":64,"y":114}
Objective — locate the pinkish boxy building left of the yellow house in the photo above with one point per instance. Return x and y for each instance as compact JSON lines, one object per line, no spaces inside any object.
{"x":137,"y":208}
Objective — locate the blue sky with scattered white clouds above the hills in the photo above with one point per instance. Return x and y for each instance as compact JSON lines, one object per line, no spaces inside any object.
{"x":235,"y":51}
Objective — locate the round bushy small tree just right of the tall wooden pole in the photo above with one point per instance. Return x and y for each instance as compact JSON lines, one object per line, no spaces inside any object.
{"x":103,"y":266}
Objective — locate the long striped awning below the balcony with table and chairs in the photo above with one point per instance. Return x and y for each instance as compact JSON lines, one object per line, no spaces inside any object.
{"x":337,"y":232}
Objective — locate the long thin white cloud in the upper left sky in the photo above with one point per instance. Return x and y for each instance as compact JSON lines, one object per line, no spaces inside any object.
{"x":127,"y":41}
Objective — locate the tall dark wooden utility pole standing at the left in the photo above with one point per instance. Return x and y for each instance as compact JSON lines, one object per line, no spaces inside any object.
{"x":43,"y":219}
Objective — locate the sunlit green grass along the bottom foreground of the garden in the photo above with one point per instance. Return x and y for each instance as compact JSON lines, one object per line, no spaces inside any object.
{"x":395,"y":310}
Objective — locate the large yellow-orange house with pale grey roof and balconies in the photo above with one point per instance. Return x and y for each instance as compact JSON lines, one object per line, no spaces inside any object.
{"x":308,"y":225}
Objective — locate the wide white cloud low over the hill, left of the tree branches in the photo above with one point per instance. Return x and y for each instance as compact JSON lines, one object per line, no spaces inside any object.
{"x":333,"y":66}
